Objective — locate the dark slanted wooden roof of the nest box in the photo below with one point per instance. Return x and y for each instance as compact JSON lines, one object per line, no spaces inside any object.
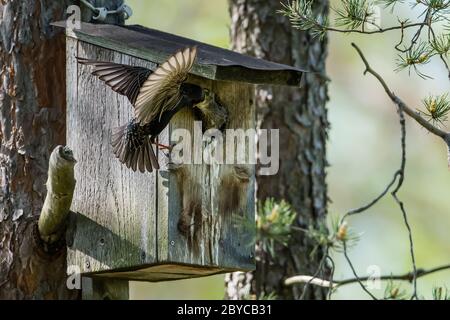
{"x":212,"y":62}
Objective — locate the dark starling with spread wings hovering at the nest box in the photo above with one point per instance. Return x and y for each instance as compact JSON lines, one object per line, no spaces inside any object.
{"x":156,"y":97}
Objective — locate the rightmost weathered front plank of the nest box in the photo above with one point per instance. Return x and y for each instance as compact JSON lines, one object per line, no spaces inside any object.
{"x":234,"y":184}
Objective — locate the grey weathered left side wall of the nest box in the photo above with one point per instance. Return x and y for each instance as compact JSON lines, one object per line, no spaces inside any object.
{"x":115,"y":225}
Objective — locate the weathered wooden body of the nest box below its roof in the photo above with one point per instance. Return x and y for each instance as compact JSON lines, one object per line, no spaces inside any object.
{"x":127,"y":223}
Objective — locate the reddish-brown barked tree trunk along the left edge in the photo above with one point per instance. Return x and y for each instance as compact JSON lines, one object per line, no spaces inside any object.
{"x":32,"y":123}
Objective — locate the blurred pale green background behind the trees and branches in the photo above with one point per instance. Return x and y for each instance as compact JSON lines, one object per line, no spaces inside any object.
{"x":363,"y":151}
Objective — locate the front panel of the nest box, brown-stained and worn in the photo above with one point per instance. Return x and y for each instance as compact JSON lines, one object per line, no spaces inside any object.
{"x":208,"y":203}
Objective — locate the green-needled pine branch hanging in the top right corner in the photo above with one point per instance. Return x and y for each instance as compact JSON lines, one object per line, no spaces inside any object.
{"x":354,"y":15}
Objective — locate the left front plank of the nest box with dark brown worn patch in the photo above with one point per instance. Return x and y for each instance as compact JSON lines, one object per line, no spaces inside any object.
{"x":188,"y":213}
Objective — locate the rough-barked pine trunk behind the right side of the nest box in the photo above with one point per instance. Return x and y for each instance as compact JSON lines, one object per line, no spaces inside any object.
{"x":301,"y":116}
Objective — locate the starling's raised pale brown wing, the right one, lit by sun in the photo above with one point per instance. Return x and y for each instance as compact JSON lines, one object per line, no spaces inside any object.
{"x":161,"y":91}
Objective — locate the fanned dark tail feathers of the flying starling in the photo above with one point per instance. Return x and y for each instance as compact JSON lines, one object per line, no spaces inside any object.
{"x":133,"y":148}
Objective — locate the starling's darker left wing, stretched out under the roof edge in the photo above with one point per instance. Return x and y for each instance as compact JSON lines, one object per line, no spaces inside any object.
{"x":123,"y":79}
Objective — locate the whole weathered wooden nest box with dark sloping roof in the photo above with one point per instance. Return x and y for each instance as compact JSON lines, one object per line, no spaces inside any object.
{"x":180,"y":221}
